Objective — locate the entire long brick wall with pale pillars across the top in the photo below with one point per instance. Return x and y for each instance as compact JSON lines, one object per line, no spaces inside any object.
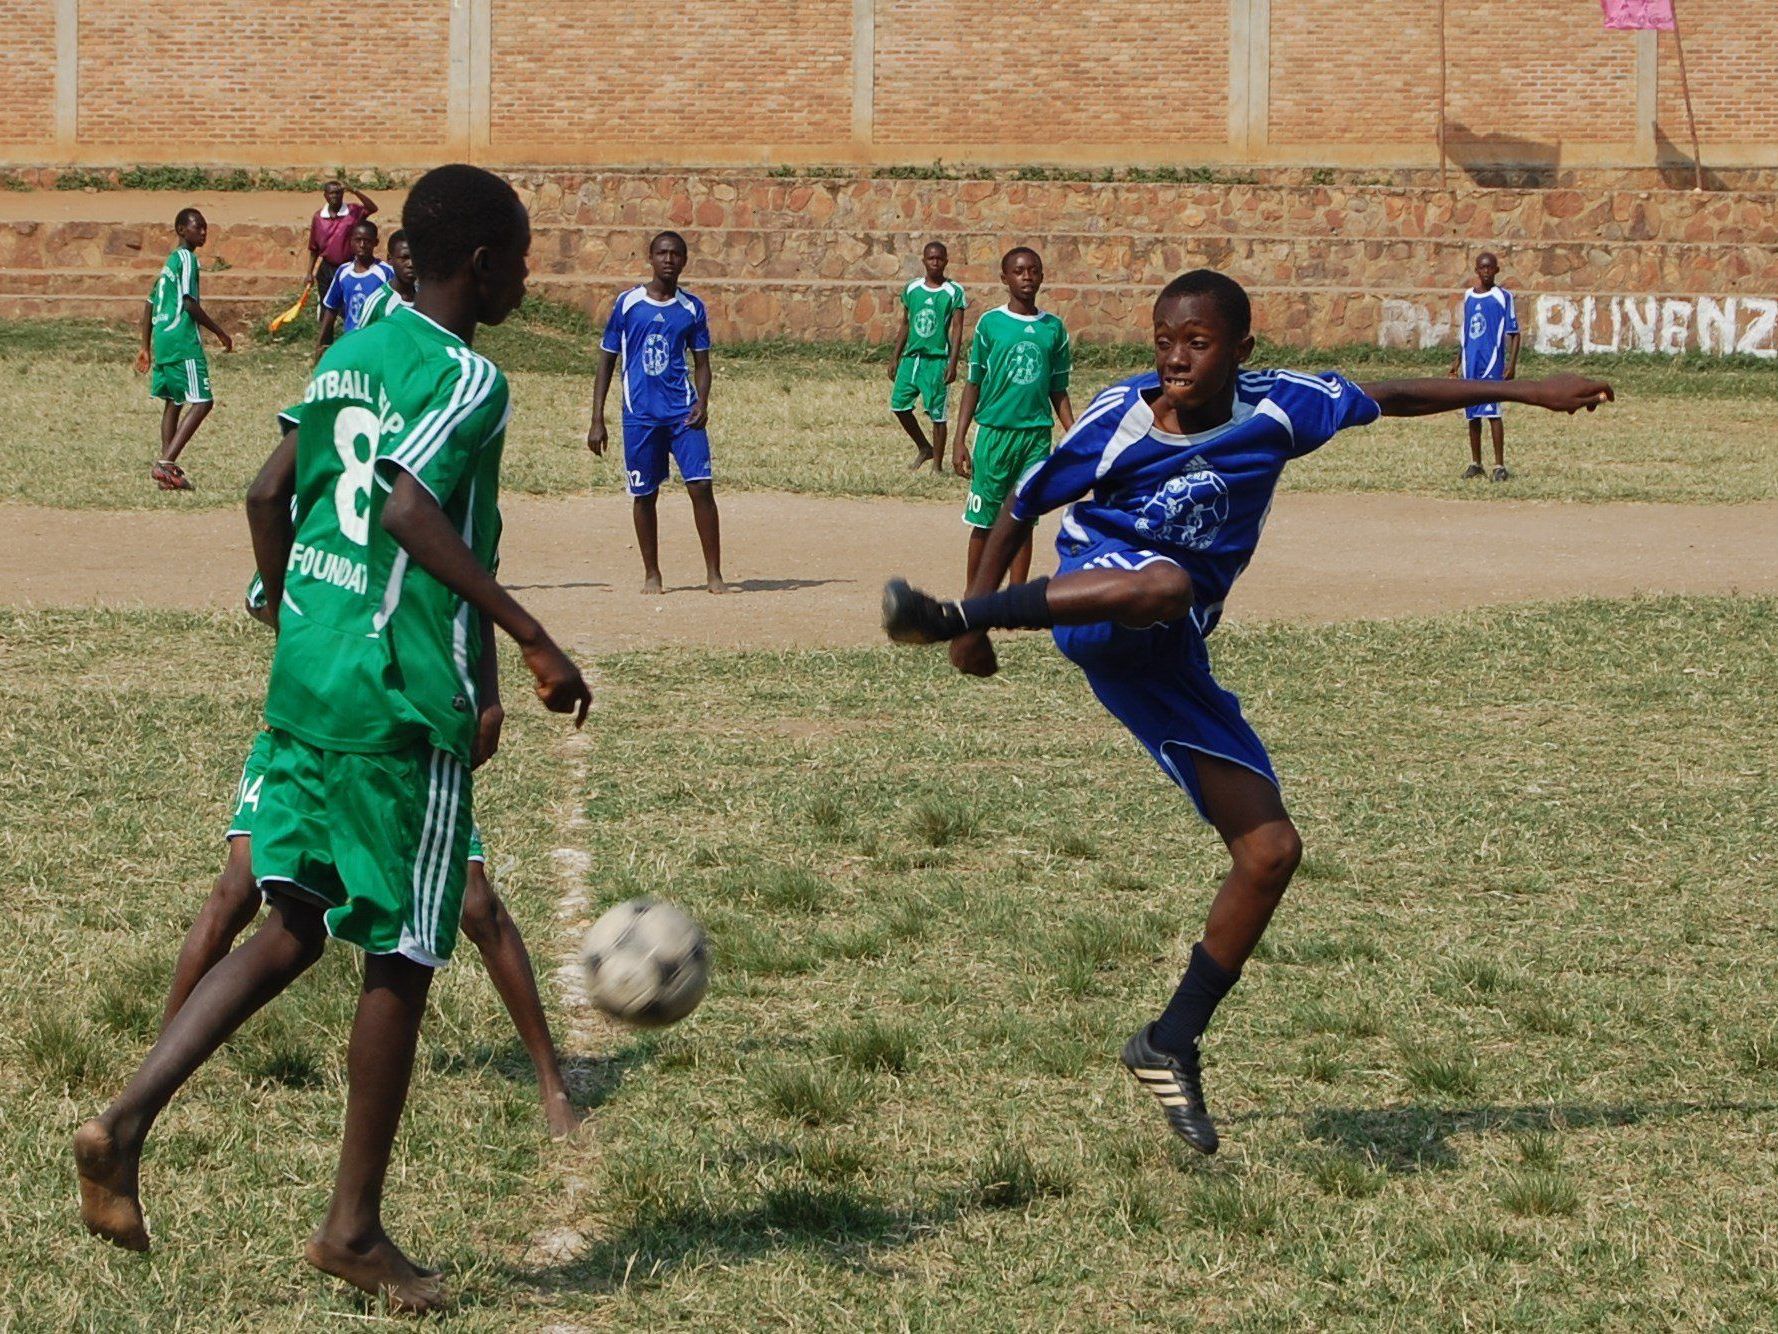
{"x":563,"y":83}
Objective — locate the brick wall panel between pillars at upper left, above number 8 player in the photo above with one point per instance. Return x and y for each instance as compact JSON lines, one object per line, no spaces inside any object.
{"x":236,"y":76}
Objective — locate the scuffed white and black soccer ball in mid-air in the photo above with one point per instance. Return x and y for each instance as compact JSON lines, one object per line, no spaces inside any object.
{"x":646,"y":963}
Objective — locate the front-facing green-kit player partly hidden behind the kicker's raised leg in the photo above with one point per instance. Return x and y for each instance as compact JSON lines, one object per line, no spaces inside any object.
{"x":1020,"y":366}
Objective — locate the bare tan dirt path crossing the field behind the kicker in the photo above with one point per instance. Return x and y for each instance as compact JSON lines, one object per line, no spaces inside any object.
{"x":810,"y":570}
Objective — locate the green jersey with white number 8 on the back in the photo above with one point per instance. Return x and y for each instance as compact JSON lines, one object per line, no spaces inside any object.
{"x":372,"y":652}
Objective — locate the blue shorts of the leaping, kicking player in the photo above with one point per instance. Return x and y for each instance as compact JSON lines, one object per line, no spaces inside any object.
{"x":1158,"y":684}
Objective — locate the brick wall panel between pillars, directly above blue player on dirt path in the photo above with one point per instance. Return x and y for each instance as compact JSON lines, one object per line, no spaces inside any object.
{"x":586,"y":77}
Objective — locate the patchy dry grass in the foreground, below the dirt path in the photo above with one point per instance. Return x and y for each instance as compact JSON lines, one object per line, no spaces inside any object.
{"x":1507,"y":1059}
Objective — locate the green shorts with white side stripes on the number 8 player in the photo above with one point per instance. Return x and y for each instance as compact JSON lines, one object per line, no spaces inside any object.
{"x":380,"y":840}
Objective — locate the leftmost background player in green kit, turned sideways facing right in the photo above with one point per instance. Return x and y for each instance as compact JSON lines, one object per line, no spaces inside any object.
{"x":173,"y":355}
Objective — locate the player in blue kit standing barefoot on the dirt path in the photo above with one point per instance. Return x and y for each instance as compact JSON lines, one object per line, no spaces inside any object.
{"x":666,"y":405}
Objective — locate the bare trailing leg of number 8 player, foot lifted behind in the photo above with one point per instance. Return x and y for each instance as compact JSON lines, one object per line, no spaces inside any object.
{"x":109,"y":1148}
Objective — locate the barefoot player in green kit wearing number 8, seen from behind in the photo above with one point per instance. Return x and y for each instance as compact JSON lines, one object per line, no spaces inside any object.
{"x":378,"y":712}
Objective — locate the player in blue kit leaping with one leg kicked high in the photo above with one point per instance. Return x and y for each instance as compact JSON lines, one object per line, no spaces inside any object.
{"x":1167,"y":481}
